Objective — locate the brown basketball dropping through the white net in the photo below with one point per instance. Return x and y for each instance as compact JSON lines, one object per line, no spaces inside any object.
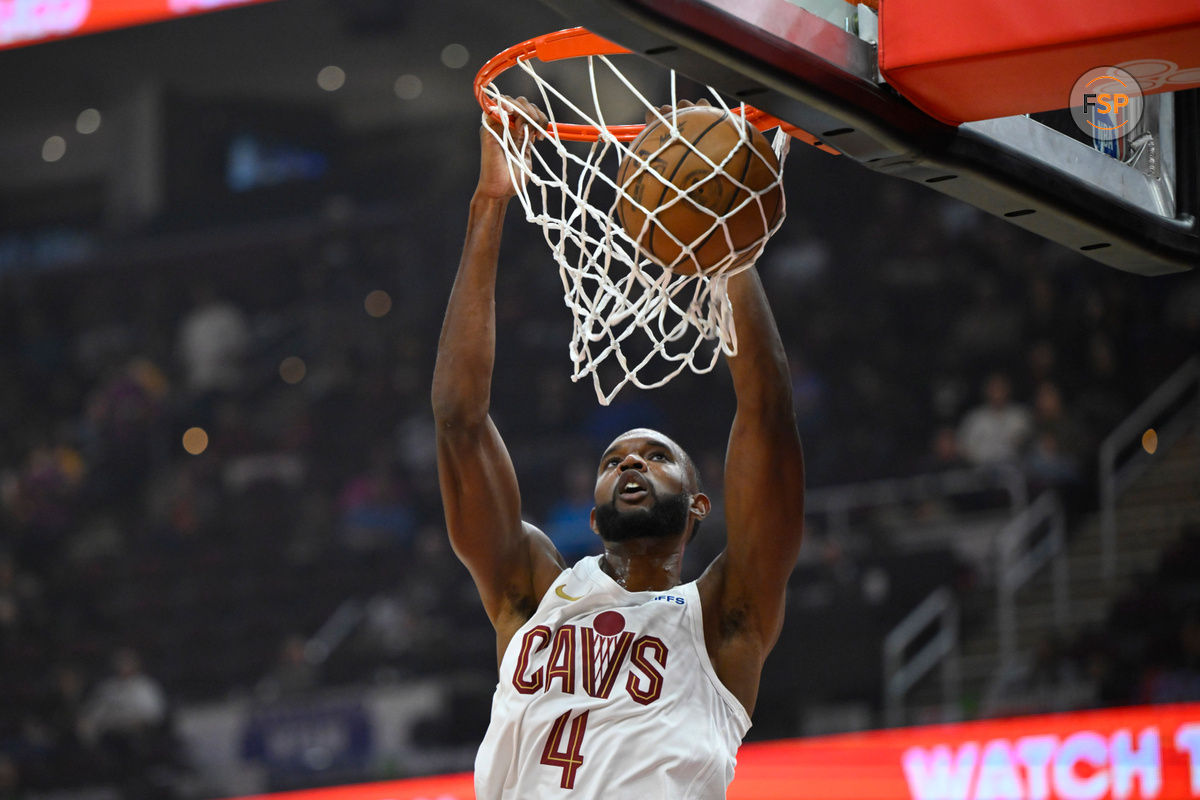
{"x":683,"y":233}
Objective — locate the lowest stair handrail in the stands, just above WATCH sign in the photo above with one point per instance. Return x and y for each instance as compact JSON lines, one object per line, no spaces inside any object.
{"x":902,"y":673}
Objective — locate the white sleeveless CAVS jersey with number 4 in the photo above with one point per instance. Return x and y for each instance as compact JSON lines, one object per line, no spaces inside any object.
{"x":610,"y":694}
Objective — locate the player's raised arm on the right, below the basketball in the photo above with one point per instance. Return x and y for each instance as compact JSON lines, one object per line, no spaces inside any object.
{"x":764,"y":498}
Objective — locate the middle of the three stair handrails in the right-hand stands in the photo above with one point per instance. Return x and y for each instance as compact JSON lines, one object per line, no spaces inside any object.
{"x":1021,"y":556}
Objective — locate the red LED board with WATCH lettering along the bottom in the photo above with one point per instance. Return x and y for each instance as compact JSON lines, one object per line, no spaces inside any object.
{"x":1132,"y":754}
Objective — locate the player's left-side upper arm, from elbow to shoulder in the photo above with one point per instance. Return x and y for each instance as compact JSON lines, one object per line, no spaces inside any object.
{"x":483,"y":512}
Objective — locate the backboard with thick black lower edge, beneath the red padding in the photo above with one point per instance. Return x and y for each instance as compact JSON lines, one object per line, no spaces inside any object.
{"x":815,"y":64}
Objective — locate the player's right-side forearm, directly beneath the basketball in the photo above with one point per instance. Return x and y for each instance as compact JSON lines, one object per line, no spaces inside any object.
{"x":760,"y":371}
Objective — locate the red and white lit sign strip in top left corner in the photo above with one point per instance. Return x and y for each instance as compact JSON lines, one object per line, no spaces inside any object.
{"x":29,"y":22}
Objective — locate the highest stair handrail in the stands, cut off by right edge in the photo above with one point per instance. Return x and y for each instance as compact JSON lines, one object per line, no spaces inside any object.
{"x":1120,"y":462}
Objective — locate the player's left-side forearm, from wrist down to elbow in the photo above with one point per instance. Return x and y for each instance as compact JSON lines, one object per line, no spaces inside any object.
{"x":463,"y":375}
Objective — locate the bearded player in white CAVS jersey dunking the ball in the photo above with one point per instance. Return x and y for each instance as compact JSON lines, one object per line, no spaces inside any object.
{"x":617,"y":681}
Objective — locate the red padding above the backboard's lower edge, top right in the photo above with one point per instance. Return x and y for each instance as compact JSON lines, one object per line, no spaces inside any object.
{"x":963,"y":61}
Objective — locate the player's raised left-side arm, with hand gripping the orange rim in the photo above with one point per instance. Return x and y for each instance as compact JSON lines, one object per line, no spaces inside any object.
{"x":511,"y":562}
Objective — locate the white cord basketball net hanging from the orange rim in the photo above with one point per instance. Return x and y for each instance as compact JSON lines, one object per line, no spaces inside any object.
{"x":634,"y":322}
